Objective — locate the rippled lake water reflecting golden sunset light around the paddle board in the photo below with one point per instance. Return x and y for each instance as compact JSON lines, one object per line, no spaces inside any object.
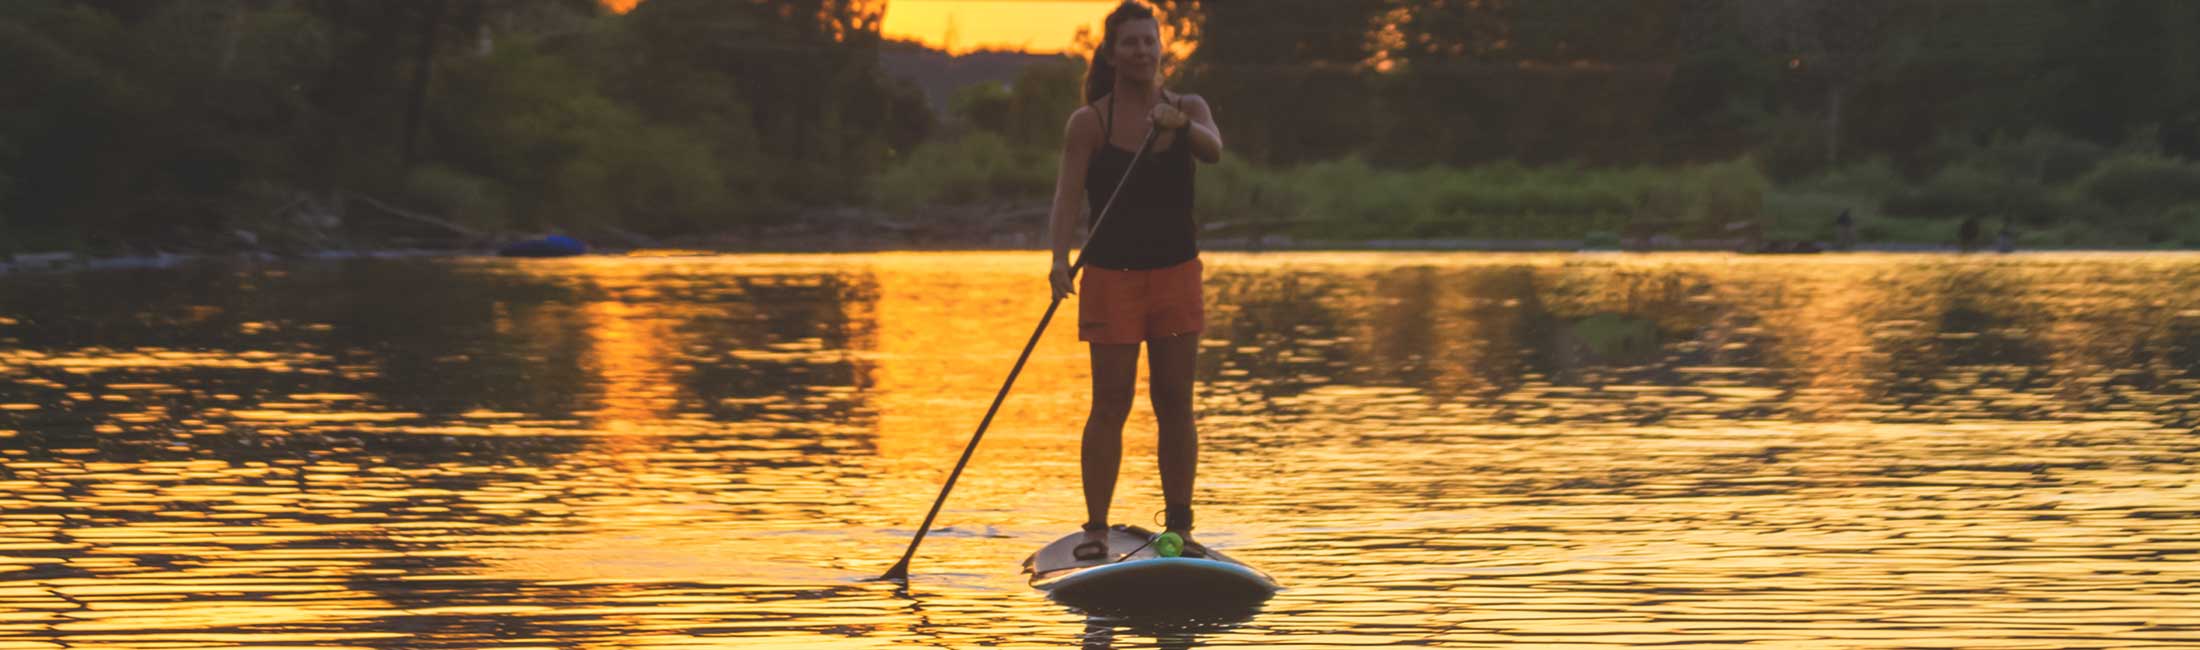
{"x":1427,"y":451}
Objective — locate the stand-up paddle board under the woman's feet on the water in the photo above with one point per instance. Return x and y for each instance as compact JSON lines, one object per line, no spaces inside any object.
{"x":1145,"y":581}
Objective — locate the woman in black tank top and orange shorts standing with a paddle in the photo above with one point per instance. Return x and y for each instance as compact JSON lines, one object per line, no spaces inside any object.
{"x":1143,"y":266}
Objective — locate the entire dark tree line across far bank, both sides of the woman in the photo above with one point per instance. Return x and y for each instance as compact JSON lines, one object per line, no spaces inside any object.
{"x":135,"y":122}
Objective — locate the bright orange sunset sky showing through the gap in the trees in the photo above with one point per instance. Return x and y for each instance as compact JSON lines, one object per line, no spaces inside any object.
{"x":1028,"y":25}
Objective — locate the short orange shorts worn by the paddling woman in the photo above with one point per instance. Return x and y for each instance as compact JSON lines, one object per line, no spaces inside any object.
{"x":1127,"y":307}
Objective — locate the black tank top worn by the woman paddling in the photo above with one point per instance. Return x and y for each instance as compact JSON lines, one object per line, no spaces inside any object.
{"x":1152,"y":226}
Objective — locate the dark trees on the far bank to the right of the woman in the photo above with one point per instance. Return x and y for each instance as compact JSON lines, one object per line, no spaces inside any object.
{"x":1798,"y":83}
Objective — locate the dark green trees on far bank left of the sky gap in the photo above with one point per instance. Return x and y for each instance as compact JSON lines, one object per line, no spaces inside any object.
{"x":170,"y":120}
